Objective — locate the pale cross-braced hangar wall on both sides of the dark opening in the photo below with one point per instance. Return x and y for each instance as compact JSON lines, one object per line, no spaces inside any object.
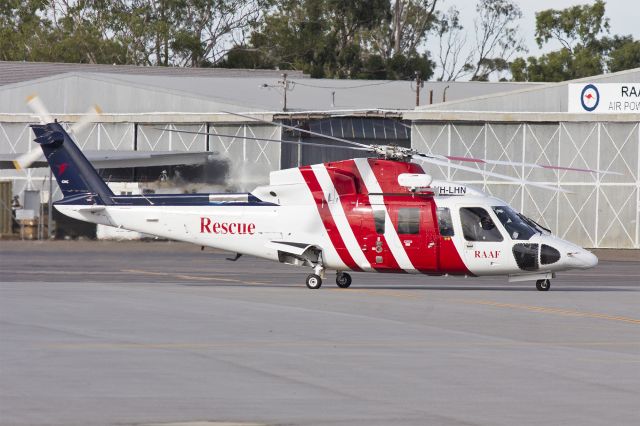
{"x":602,"y":211}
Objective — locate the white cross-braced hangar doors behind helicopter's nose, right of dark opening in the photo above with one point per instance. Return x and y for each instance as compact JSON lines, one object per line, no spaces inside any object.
{"x":602,"y":210}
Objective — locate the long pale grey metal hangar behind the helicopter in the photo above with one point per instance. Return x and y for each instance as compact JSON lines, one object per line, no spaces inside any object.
{"x":505,"y":121}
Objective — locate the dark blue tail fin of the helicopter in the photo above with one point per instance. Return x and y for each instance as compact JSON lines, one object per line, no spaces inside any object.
{"x":75,"y":175}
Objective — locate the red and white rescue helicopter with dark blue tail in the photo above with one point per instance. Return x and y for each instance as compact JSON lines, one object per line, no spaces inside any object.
{"x":382,"y":214}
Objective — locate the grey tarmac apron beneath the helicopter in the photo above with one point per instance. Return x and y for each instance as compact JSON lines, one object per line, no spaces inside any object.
{"x":141,"y":333}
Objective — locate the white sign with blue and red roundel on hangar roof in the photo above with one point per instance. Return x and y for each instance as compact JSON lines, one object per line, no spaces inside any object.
{"x":605,"y":98}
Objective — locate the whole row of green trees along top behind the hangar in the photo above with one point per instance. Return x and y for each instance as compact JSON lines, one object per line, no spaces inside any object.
{"x":372,"y":39}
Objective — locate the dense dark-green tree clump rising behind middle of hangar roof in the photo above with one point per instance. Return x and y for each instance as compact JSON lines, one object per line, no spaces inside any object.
{"x":333,"y":39}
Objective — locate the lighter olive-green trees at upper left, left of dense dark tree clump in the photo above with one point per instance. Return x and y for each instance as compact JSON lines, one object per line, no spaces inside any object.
{"x":141,"y":32}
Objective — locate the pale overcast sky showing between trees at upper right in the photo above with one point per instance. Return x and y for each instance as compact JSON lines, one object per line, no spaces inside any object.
{"x":623,"y":19}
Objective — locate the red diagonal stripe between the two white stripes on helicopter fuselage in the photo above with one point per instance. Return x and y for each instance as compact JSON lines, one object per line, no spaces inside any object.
{"x":359,"y":213}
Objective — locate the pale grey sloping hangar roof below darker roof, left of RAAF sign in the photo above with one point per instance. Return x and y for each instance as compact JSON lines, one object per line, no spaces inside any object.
{"x":148,"y":92}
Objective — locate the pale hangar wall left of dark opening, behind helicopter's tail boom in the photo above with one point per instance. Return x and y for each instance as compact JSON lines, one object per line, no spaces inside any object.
{"x":249,"y":161}
